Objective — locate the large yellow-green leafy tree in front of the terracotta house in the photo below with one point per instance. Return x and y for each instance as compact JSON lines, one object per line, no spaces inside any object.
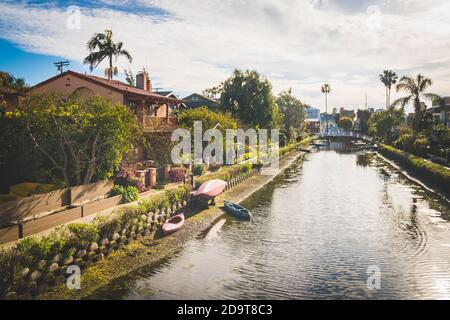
{"x":81,"y":139}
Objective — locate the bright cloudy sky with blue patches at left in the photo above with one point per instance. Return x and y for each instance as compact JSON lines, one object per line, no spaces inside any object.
{"x":190,"y":45}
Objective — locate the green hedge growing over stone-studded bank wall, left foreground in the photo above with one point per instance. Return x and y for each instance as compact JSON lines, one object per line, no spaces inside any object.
{"x":37,"y":263}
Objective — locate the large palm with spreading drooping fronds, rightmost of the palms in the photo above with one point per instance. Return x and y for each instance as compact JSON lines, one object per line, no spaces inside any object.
{"x":416,"y":89}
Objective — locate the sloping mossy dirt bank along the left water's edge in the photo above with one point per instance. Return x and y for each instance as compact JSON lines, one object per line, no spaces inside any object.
{"x":153,"y":249}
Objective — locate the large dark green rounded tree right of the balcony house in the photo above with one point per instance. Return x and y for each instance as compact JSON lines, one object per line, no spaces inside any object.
{"x":248,"y":97}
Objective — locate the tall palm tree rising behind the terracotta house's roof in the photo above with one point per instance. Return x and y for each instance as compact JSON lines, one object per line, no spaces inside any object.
{"x":106,"y":48}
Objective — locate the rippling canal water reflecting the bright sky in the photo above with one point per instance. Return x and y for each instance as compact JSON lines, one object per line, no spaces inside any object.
{"x":319,"y":231}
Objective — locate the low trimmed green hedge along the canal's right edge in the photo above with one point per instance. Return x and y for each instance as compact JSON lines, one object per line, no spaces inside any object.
{"x":434,"y":173}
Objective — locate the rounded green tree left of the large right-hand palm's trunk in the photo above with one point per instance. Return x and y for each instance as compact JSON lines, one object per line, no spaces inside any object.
{"x":382,"y":124}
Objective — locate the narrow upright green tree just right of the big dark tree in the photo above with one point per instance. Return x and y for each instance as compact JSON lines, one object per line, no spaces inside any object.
{"x":293,"y":113}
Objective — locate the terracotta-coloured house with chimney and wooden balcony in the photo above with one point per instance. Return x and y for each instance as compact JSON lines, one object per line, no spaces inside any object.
{"x":155,"y":112}
